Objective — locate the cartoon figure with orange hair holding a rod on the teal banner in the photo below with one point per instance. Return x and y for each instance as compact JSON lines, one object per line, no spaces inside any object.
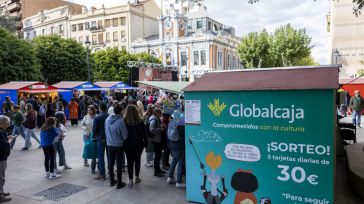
{"x":212,"y":196}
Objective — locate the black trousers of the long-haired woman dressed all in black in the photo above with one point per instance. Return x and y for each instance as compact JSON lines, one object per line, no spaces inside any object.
{"x":133,"y":156}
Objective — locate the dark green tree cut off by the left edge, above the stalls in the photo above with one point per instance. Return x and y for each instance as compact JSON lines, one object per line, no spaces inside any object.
{"x":17,"y":59}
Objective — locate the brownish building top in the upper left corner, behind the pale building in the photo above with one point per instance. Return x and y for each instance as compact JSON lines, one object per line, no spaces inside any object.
{"x":22,"y":9}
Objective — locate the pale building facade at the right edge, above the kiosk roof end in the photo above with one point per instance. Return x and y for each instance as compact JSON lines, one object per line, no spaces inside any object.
{"x":345,"y":38}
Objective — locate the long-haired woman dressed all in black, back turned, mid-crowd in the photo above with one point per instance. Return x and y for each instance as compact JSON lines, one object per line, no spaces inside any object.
{"x":137,"y":140}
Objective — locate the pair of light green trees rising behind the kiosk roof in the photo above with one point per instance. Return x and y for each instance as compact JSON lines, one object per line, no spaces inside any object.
{"x":285,"y":47}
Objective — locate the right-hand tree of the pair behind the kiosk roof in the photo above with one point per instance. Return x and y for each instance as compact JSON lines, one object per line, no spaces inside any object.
{"x":288,"y":46}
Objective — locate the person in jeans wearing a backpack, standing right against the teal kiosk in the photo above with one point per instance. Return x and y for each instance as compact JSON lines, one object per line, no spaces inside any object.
{"x":177,"y":145}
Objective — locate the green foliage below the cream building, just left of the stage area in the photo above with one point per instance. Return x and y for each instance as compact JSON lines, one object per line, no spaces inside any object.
{"x":111,"y":64}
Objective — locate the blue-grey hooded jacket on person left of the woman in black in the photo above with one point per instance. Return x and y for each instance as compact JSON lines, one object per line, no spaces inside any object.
{"x":116,"y":131}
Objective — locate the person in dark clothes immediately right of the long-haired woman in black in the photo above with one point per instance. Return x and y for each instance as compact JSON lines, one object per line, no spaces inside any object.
{"x":156,"y":130}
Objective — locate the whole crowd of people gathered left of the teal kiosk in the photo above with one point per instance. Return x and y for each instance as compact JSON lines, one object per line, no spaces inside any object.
{"x":121,"y":127}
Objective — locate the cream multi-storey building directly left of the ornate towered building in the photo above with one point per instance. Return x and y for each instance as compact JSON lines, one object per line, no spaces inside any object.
{"x":116,"y":26}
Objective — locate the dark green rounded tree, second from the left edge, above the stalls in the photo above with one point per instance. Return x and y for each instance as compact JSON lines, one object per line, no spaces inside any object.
{"x":61,"y":59}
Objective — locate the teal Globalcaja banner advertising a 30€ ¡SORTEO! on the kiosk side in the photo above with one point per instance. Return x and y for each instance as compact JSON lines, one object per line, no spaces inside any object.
{"x":260,"y":147}
